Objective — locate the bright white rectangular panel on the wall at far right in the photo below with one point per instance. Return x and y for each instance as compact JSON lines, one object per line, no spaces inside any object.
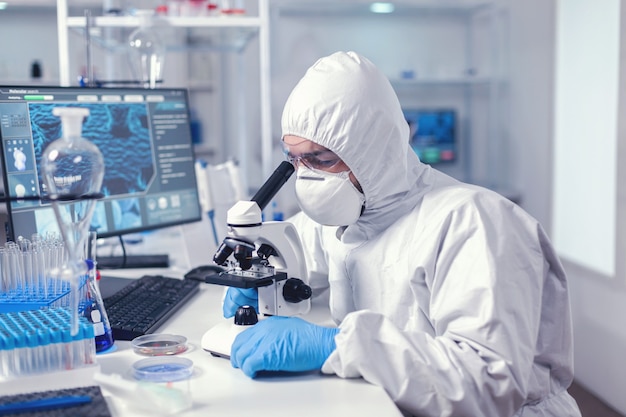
{"x":585,"y":132}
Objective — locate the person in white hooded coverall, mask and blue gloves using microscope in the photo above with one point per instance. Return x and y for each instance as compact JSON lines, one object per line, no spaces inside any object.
{"x":447,"y":295}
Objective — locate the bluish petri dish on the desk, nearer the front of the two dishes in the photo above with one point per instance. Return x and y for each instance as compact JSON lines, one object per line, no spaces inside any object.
{"x":164,"y":369}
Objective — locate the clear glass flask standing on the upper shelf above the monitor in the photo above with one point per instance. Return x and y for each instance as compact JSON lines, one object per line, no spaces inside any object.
{"x":147,"y":51}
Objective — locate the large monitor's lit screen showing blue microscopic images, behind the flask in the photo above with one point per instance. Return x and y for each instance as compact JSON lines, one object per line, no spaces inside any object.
{"x":144,"y":137}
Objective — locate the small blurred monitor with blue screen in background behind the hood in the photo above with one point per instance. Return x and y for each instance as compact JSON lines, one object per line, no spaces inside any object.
{"x":433,"y":134}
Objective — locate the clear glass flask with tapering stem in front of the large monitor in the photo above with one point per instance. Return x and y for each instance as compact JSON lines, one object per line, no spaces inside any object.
{"x":72,"y":169}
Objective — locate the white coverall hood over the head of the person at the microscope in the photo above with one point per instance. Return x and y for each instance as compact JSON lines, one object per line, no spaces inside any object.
{"x":347,"y":105}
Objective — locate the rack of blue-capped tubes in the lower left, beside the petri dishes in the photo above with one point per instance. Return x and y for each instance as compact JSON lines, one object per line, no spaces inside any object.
{"x":40,"y":341}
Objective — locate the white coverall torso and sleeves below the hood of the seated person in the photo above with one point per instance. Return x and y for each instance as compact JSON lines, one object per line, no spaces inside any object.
{"x":466,"y":293}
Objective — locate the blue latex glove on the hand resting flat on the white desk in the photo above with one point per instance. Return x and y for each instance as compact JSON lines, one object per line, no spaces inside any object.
{"x":282,"y":344}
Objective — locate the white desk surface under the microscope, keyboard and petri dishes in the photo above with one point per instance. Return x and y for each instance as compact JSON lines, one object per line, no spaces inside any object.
{"x":218,"y":389}
